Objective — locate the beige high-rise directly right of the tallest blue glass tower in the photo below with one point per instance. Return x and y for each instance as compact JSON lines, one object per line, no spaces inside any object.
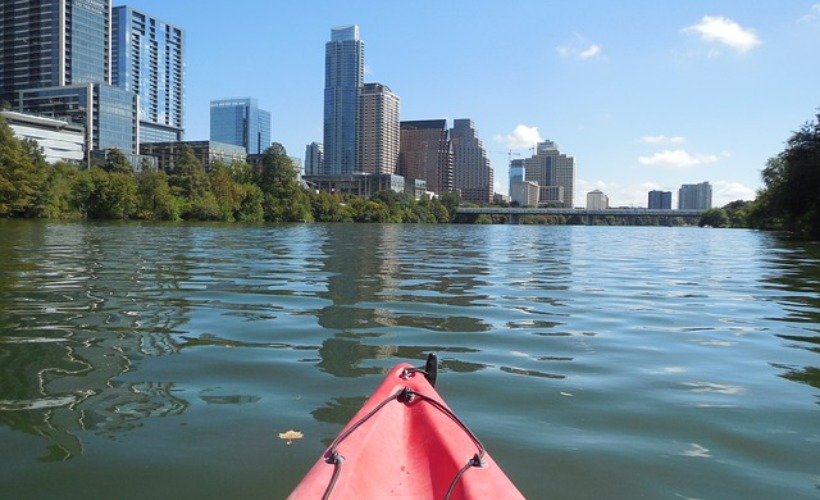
{"x":379,"y":130}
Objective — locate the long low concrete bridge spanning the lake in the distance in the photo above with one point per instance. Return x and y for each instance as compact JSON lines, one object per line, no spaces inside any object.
{"x":513,"y":214}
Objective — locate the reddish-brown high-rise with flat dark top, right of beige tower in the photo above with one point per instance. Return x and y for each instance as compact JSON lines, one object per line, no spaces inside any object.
{"x":427,"y":154}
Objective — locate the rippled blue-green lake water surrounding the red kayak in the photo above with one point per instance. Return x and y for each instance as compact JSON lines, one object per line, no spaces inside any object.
{"x":161,"y":361}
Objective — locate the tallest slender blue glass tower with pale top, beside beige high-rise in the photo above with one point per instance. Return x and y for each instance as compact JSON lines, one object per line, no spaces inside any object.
{"x":344,"y":78}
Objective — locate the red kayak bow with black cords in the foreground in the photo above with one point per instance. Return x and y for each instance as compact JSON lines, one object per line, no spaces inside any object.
{"x":405,"y":442}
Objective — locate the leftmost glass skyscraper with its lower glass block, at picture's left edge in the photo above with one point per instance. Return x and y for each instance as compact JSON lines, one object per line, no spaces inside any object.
{"x":55,"y":61}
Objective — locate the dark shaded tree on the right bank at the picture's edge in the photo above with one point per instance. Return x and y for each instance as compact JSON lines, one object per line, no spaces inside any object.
{"x":790,"y":198}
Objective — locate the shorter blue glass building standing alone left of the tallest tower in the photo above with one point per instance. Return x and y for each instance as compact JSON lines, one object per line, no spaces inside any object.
{"x":240,"y":122}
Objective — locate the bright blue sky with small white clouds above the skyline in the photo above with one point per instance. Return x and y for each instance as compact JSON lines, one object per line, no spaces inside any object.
{"x":643,"y":94}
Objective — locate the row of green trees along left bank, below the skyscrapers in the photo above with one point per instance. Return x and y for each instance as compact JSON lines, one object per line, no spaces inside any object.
{"x":235,"y":192}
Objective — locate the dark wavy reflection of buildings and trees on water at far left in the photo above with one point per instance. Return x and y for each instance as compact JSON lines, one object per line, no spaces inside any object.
{"x":70,"y":327}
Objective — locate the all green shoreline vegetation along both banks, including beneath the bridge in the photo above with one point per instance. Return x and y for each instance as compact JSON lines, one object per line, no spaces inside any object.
{"x":789,"y":202}
